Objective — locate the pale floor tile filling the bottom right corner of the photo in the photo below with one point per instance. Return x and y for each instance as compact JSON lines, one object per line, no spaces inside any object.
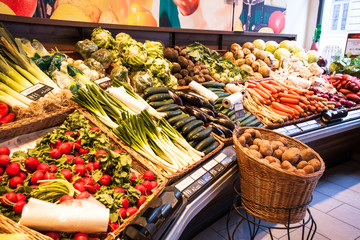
{"x":333,"y":228}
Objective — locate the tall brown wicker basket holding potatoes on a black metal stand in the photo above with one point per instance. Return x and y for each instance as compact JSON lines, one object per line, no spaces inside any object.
{"x":272,"y":194}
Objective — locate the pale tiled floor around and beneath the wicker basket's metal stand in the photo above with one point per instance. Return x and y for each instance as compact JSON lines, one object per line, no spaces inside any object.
{"x":335,"y":208}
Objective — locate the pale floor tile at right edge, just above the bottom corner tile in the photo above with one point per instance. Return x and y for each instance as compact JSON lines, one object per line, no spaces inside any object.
{"x":348,"y":214}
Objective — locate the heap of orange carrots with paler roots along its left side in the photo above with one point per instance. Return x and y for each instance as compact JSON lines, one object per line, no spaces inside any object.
{"x":275,"y":102}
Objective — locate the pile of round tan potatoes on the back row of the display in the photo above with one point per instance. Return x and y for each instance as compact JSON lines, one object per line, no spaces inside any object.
{"x":256,"y":62}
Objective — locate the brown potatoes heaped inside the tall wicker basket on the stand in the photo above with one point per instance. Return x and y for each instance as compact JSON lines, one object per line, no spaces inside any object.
{"x":279,"y":154}
